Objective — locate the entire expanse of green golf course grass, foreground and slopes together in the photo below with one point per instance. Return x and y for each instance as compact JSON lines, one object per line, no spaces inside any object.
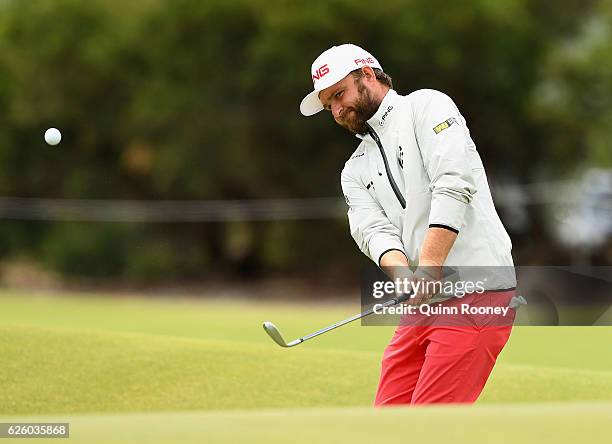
{"x":121,"y":366}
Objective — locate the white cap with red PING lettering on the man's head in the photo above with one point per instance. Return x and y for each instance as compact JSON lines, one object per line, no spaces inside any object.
{"x":331,"y":67}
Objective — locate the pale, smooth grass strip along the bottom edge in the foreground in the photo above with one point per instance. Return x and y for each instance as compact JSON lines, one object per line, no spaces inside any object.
{"x":567,"y":423}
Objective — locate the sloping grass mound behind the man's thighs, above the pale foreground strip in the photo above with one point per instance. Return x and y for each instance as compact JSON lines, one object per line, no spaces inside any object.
{"x":63,"y":370}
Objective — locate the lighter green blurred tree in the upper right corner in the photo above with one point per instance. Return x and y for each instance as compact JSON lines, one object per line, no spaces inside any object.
{"x":573,"y":100}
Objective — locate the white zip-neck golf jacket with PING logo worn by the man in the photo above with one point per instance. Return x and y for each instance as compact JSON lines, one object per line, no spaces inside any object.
{"x":423,"y":171}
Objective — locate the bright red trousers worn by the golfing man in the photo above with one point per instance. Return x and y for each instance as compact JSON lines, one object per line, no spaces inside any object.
{"x":447,"y":360}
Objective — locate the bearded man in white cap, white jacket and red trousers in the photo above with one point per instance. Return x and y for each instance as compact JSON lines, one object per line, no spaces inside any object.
{"x":418,"y":195}
